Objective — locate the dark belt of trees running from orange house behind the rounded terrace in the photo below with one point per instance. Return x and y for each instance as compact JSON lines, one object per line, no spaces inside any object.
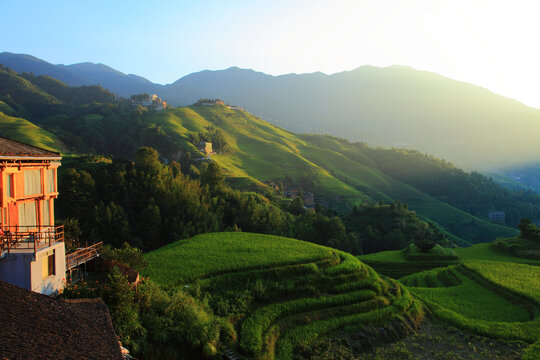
{"x":149,"y":204}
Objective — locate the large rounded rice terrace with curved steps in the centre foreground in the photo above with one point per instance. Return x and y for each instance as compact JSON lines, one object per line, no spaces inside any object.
{"x":280,"y":293}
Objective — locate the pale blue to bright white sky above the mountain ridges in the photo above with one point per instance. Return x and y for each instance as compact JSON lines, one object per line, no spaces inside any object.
{"x":494,"y":44}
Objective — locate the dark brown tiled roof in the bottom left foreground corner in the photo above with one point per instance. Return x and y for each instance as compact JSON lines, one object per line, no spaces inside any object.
{"x":35,"y":326}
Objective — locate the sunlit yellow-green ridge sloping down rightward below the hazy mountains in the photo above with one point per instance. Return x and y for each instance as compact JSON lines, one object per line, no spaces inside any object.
{"x":341,"y":176}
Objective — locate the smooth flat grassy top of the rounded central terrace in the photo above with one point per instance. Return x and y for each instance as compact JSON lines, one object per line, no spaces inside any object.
{"x":217,"y":253}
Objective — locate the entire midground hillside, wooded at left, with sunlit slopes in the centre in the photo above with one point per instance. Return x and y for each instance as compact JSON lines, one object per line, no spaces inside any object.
{"x":256,"y":155}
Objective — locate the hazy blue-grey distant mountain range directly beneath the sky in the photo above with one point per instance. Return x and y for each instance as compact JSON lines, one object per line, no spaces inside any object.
{"x":393,"y":106}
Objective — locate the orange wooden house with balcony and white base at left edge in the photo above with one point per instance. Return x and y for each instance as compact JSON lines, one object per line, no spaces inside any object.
{"x":32,"y":250}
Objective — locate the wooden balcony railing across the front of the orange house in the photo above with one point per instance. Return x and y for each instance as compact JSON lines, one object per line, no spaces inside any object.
{"x":29,"y":237}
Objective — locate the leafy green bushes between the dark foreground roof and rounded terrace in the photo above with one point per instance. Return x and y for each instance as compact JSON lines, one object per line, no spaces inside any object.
{"x":154,"y":323}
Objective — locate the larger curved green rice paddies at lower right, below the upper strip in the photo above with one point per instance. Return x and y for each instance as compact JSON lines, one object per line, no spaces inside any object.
{"x":494,"y":299}
